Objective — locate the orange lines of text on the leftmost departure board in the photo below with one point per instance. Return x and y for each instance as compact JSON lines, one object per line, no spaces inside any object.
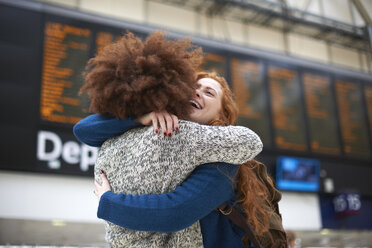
{"x":56,"y":78}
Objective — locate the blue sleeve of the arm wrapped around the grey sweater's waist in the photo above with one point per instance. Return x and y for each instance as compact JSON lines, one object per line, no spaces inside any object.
{"x":206,"y":188}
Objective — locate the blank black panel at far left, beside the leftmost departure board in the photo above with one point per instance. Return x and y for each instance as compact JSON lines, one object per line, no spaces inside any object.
{"x":20,"y":58}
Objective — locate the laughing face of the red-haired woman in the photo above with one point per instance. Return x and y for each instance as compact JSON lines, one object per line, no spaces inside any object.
{"x":207,"y":103}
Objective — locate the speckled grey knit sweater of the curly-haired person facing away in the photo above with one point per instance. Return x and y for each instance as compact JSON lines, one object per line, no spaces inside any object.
{"x":141,"y":162}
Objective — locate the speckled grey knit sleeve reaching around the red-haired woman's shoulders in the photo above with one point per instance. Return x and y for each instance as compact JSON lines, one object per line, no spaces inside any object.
{"x":229,"y":144}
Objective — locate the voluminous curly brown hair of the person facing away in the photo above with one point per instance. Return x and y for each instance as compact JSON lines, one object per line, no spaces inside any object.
{"x":131,"y":78}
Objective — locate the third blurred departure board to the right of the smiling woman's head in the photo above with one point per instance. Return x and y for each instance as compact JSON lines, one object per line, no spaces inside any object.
{"x":320,"y":109}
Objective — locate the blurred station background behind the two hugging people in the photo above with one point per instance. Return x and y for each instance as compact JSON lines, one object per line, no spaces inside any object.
{"x":300,"y":71}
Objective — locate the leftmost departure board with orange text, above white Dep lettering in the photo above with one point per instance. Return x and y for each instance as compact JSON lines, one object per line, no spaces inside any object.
{"x":65,"y":54}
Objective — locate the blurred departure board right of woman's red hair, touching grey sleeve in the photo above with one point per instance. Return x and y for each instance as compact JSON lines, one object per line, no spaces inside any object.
{"x":250,"y":95}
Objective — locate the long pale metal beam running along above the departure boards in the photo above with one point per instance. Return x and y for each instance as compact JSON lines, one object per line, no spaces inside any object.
{"x":203,"y":41}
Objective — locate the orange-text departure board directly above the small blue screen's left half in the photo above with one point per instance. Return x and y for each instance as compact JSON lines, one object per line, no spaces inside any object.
{"x":286,"y":105}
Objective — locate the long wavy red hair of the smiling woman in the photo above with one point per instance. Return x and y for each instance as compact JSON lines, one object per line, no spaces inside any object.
{"x":255,"y":188}
